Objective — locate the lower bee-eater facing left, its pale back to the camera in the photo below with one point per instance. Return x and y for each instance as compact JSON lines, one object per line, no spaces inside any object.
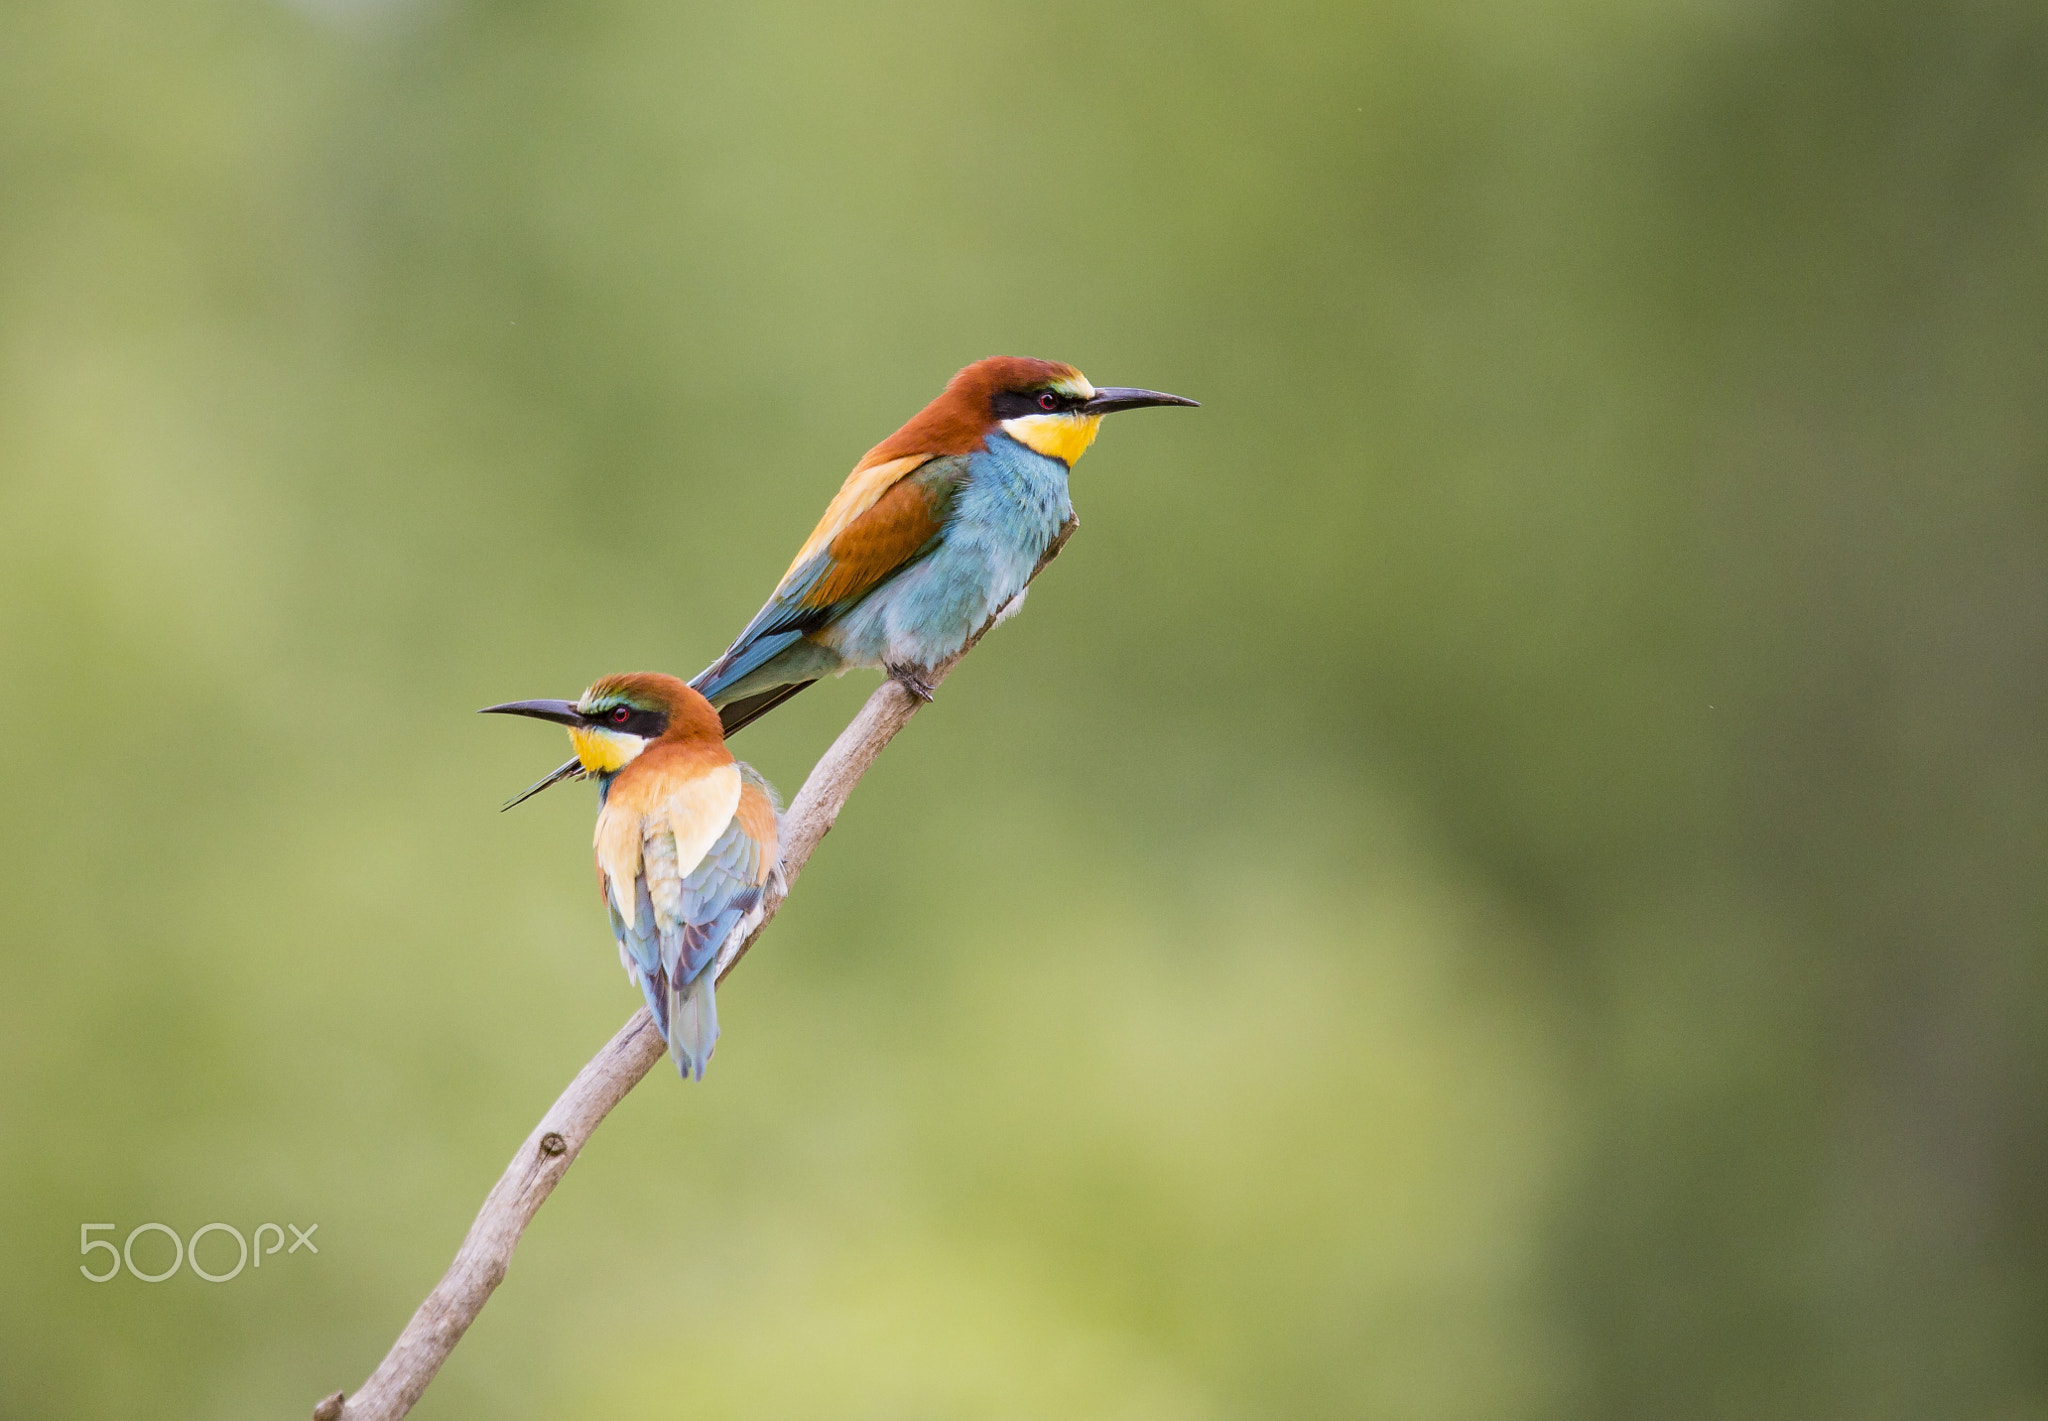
{"x":687,"y":843}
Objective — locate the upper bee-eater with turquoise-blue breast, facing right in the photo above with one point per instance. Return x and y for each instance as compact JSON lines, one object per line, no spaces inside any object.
{"x":935,"y":531}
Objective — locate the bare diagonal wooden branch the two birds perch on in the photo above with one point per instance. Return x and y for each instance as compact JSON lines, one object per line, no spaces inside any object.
{"x":554,"y":1146}
